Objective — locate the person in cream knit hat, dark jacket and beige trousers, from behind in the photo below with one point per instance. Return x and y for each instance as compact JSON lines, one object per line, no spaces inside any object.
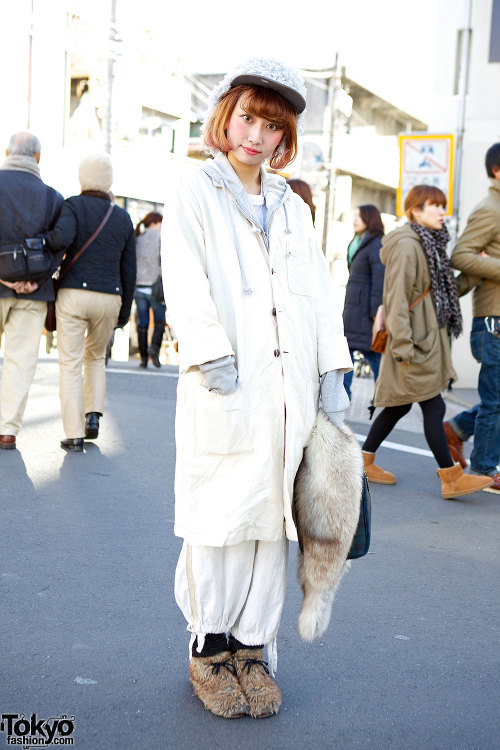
{"x":95,"y":295}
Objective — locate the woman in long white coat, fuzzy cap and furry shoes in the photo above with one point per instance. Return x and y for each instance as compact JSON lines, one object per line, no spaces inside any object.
{"x":258,"y":325}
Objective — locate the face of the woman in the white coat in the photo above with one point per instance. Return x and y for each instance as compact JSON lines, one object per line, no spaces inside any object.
{"x":252,"y":138}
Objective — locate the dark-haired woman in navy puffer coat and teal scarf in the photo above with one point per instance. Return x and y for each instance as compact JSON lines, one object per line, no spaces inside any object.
{"x":365,"y":286}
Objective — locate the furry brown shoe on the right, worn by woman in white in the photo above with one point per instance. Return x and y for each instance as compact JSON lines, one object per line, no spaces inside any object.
{"x":261,"y":691}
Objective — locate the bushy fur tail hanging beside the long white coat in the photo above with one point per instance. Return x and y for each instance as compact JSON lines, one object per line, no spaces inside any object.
{"x":327,"y":497}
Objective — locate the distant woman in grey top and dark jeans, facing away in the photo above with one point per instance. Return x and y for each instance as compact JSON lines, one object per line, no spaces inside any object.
{"x":147,"y":234}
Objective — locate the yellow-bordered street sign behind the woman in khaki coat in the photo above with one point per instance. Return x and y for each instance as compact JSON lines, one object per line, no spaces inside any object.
{"x":425,"y":159}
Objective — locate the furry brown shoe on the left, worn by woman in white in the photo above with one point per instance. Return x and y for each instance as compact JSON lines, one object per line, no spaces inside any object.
{"x":216,"y":685}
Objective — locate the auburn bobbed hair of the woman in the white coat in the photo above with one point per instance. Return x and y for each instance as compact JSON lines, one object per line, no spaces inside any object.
{"x":260,"y":102}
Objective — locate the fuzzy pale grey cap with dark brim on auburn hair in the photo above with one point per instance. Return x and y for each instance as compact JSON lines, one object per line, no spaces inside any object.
{"x":265,"y":72}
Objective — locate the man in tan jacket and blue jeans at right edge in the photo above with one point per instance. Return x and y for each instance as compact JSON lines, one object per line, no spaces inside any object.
{"x":477,"y":253}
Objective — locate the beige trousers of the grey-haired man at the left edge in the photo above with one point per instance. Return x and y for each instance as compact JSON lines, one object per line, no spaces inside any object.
{"x":22,"y":322}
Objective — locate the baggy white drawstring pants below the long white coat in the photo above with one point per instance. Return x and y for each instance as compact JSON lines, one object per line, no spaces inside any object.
{"x":238,"y":589}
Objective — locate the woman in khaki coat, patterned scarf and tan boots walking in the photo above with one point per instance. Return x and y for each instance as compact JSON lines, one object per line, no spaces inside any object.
{"x":422,"y":312}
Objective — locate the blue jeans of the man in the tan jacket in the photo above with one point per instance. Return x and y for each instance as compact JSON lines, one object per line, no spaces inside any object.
{"x":483,"y":420}
